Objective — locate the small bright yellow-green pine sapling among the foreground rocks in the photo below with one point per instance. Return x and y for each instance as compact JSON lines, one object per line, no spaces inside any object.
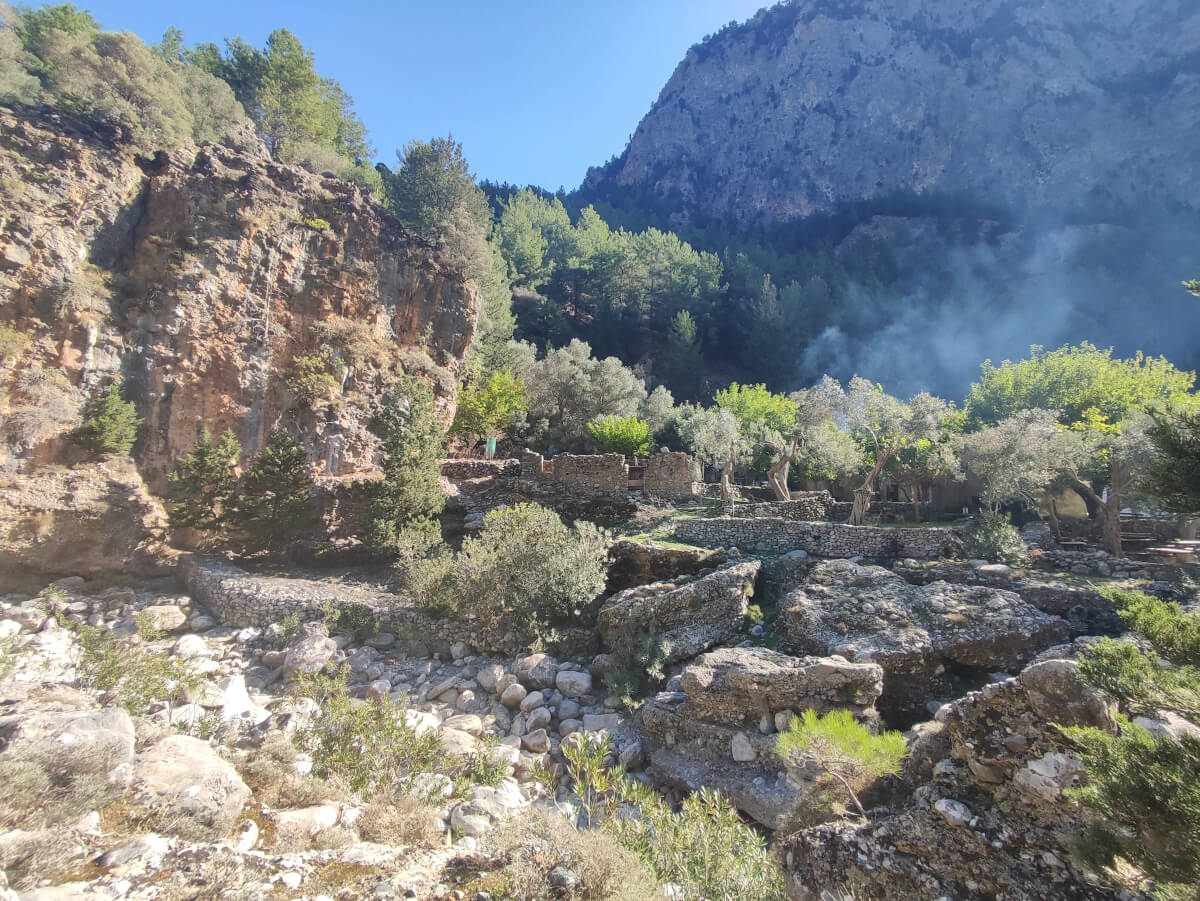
{"x":844,"y":749}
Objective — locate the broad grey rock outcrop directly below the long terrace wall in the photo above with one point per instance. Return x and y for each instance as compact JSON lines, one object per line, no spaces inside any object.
{"x":923,"y":638}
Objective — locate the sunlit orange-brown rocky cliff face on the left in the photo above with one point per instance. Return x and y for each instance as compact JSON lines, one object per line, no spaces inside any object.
{"x":212,"y":280}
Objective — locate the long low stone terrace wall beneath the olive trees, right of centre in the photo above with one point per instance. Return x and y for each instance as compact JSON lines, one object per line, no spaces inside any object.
{"x":821,"y":539}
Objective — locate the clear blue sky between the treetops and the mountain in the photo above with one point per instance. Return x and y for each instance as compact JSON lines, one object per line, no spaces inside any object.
{"x":536,"y":91}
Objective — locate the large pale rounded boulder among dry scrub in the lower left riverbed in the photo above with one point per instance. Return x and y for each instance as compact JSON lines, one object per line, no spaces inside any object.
{"x":187,"y":790}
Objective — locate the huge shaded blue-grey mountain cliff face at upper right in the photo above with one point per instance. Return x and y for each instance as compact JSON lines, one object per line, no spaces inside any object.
{"x":814,"y":104}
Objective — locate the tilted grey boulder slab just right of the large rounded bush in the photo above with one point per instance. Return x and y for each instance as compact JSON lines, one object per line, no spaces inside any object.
{"x":689,"y":618}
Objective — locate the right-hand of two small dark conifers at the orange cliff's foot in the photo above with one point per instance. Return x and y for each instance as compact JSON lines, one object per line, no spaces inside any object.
{"x":273,"y":500}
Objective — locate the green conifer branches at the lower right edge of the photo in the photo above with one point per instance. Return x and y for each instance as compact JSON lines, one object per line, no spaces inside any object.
{"x":1147,"y":789}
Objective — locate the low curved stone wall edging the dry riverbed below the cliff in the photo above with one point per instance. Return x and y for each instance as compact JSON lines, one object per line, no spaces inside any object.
{"x":242,"y":599}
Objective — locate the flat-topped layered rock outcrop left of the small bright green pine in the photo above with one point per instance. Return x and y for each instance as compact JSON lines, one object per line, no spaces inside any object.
{"x":719,"y":730}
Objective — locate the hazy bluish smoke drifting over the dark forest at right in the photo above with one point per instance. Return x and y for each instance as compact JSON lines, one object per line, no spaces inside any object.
{"x":1108,"y":285}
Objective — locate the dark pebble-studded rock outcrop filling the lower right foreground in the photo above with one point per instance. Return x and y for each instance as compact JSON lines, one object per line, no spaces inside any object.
{"x":993,"y":821}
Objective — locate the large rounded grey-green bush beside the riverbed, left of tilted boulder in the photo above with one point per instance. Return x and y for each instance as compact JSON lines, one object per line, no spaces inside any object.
{"x":526,"y":567}
